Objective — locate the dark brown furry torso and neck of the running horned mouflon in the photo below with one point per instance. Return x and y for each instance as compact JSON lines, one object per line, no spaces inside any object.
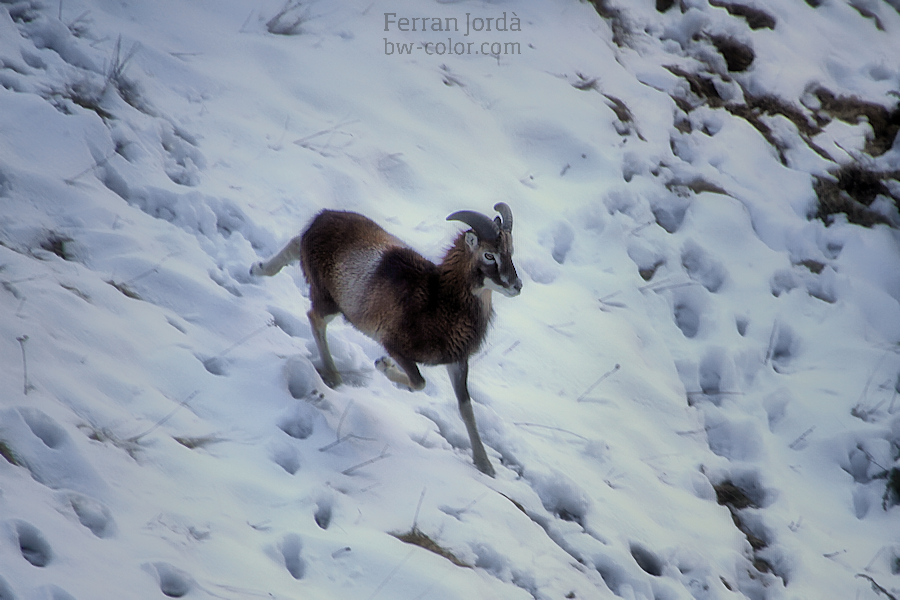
{"x":425,"y":312}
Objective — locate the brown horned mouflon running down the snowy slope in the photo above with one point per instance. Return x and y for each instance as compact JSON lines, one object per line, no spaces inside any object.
{"x":419,"y":311}
